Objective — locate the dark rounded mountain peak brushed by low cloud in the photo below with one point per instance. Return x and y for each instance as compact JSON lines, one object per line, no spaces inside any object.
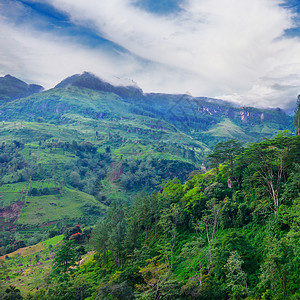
{"x":88,"y":80}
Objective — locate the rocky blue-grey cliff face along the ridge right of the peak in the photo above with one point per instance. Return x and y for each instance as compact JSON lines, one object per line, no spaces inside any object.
{"x":207,"y":111}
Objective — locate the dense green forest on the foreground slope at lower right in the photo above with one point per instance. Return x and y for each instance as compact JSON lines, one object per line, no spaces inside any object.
{"x":229,"y":233}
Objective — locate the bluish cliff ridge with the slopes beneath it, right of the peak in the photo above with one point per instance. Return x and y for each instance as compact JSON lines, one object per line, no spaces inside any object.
{"x":201,"y":118}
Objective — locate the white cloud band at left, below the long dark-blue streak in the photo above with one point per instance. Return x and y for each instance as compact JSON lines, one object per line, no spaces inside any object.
{"x":46,"y":59}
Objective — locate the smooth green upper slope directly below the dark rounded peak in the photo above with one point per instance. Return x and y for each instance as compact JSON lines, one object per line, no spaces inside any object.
{"x":53,"y":104}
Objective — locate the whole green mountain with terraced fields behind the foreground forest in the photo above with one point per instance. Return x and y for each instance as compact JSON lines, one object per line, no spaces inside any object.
{"x":69,"y":152}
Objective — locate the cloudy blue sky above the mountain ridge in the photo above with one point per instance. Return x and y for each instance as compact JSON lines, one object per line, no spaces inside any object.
{"x":244,"y":51}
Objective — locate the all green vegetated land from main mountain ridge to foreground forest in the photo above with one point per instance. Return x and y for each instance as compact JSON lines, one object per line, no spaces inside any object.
{"x":91,"y":157}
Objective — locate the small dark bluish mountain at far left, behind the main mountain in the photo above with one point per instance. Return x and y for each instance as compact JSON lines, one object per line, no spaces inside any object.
{"x":13,"y":88}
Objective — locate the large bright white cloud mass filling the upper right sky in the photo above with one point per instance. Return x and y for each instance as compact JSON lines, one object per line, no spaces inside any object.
{"x":220,"y":47}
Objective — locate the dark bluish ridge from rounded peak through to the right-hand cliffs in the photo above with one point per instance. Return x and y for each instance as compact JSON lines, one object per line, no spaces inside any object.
{"x":198,"y":117}
